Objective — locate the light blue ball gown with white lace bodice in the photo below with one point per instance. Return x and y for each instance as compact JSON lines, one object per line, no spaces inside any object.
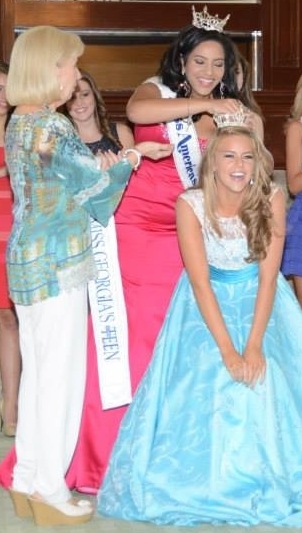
{"x":195,"y":446}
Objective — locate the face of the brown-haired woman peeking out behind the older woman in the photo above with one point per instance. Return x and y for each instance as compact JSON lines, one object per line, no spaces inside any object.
{"x":82,"y":105}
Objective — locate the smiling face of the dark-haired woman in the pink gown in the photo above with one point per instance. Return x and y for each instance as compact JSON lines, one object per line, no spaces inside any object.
{"x":204,"y":68}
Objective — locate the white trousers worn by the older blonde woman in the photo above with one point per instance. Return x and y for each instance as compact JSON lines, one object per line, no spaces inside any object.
{"x":53,"y":337}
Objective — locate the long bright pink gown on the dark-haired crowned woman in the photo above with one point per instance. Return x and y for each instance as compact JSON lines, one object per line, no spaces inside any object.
{"x":150,"y":264}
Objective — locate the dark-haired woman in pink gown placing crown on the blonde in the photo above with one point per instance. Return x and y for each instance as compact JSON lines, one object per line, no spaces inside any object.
{"x":149,"y":256}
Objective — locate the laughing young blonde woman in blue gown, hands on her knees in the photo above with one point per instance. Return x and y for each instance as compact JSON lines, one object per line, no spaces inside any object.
{"x":214,"y":434}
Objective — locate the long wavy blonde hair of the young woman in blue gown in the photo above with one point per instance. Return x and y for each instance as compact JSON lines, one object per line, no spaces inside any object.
{"x":255,"y":211}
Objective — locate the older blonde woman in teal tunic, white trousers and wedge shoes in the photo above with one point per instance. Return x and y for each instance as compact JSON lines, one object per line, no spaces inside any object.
{"x":57,"y":184}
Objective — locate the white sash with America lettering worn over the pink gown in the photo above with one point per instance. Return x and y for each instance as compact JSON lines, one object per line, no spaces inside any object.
{"x":182,"y":134}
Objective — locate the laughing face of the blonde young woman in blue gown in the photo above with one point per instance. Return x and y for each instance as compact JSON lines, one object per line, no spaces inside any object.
{"x":234,"y":164}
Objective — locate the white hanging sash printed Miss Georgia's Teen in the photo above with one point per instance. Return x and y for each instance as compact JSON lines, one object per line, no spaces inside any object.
{"x":109,"y":318}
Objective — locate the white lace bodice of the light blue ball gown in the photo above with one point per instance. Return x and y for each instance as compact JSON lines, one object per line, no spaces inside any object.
{"x":228,"y":251}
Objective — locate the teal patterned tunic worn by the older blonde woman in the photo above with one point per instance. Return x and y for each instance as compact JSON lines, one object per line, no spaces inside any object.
{"x":57,"y":184}
